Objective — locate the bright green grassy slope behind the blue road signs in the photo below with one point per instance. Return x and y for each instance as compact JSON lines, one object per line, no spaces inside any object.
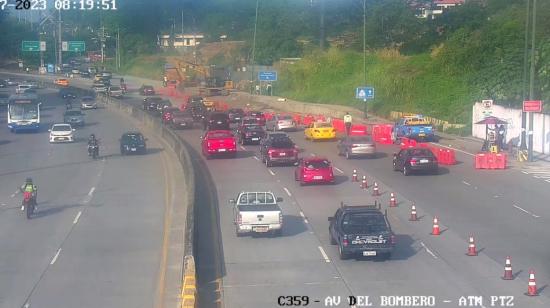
{"x":405,"y":83}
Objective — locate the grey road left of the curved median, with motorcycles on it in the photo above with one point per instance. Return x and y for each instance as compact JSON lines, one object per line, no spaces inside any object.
{"x":96,"y":238}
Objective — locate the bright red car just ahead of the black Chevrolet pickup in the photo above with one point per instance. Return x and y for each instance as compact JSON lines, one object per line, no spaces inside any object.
{"x":314,"y":170}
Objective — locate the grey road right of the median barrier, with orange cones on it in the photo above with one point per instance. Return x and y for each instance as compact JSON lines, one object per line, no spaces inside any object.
{"x":504,"y":210}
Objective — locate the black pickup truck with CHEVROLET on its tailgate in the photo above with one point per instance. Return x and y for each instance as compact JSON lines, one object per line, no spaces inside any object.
{"x":361,"y":231}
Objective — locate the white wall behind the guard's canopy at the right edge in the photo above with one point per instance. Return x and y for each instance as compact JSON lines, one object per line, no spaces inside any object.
{"x":541,"y":125}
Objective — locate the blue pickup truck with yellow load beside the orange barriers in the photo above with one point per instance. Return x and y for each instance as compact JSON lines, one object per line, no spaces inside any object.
{"x":413,"y":127}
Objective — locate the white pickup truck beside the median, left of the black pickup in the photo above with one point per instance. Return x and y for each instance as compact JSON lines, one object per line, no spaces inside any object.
{"x":257,"y":212}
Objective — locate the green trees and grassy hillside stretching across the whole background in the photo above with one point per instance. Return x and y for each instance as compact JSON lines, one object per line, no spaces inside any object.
{"x":437,"y":67}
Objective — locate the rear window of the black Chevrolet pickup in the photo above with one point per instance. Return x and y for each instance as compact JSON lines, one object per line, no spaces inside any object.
{"x":363,"y":223}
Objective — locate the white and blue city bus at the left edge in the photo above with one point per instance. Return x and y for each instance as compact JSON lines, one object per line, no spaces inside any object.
{"x":23,"y":112}
